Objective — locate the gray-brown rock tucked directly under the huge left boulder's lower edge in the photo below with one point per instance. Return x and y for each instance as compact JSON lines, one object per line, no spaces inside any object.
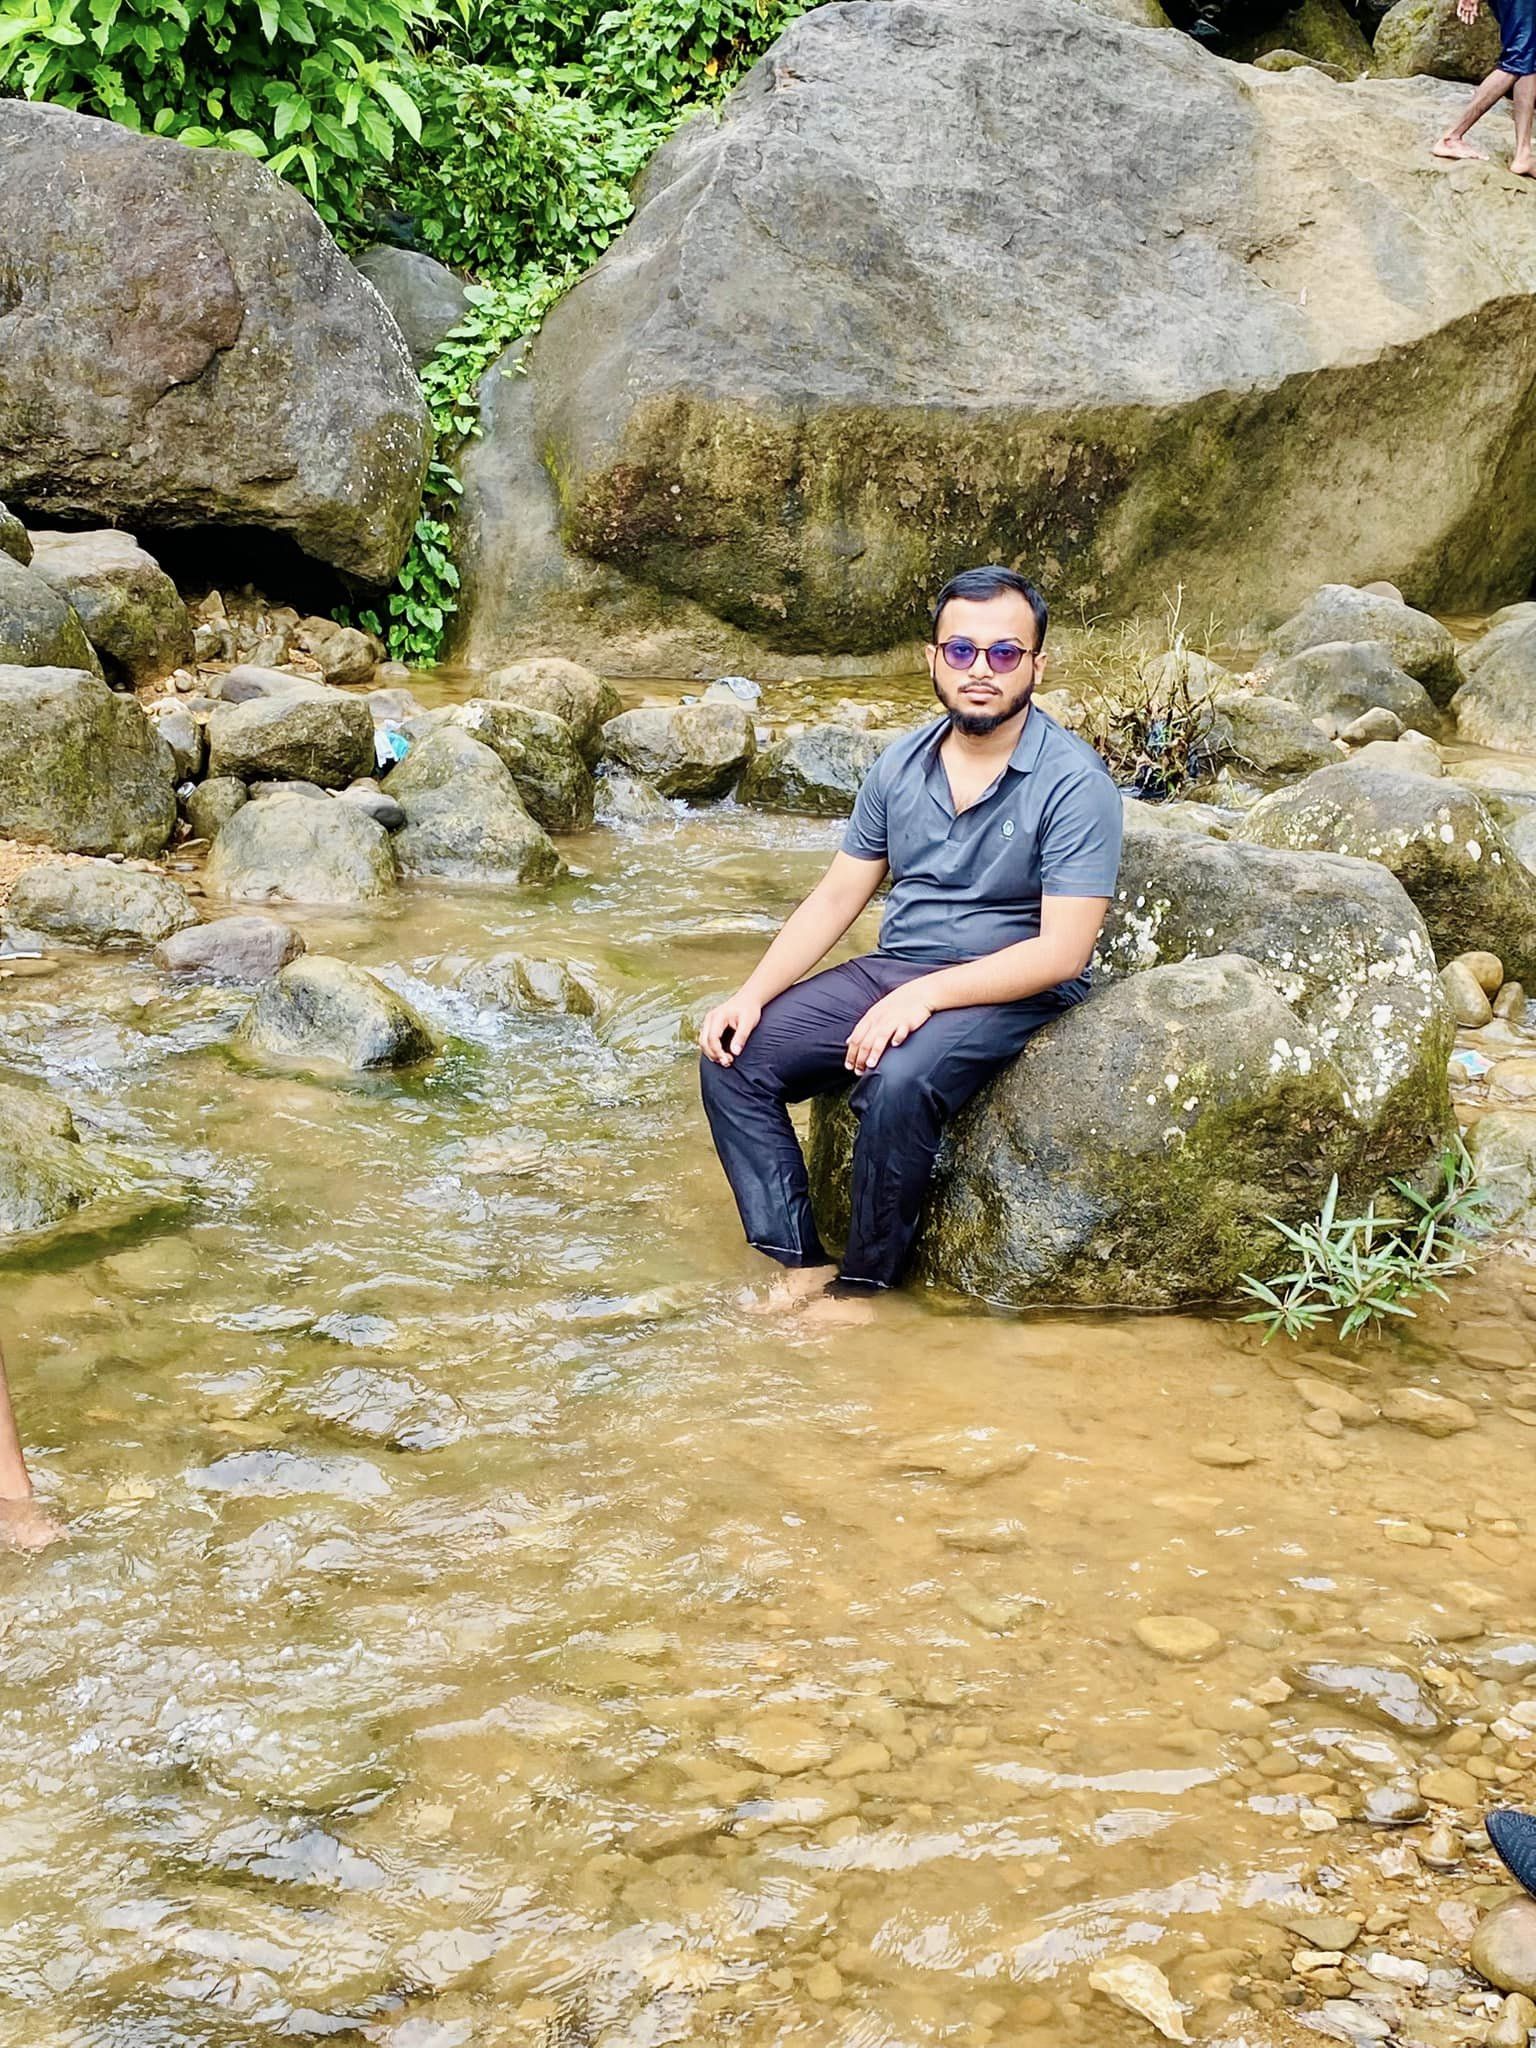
{"x":132,"y":611}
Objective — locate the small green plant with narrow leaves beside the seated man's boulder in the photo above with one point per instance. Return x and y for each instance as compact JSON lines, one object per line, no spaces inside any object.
{"x":1363,"y":1271}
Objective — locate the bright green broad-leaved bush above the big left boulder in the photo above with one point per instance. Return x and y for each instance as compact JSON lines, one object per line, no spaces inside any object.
{"x":318,"y":89}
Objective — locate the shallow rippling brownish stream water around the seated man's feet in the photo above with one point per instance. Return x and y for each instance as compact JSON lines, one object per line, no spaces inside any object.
{"x":480,"y":1627}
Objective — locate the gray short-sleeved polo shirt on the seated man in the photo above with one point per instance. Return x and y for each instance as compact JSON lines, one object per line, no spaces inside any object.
{"x":966,"y":886}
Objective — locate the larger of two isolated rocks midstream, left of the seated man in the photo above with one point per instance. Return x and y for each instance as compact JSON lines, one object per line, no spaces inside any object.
{"x":333,"y":1015}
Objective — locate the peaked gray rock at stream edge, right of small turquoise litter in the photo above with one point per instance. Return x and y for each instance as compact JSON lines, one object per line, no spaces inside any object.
{"x":464,"y":816}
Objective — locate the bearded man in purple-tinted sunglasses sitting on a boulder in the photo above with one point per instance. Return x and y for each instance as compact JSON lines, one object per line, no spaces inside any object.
{"x":1002,"y":841}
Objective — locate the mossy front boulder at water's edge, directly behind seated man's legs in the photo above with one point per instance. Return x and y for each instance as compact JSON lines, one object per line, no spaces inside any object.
{"x":1136,"y":1150}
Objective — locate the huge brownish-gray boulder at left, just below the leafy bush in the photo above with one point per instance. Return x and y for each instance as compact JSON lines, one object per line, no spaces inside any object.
{"x":183,"y":345}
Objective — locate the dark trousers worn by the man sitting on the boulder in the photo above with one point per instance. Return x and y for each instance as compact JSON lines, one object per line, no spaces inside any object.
{"x":902,"y":1109}
